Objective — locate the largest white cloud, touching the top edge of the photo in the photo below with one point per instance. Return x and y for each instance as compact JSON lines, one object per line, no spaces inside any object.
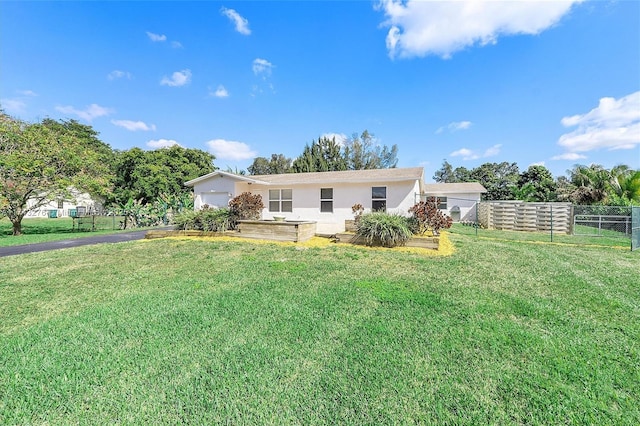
{"x":421,"y":28}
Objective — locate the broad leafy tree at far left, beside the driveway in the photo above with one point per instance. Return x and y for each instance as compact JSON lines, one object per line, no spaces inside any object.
{"x":43,"y":161}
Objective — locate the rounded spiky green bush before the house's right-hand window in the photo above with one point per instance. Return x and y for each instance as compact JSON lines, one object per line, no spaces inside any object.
{"x":388,"y":230}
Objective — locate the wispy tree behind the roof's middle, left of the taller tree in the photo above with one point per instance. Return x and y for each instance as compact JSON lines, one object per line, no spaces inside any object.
{"x":323,"y":155}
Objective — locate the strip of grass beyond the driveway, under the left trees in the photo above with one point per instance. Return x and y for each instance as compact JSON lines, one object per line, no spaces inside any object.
{"x":40,"y":230}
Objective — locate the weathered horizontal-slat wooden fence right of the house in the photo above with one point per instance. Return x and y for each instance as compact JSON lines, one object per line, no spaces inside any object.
{"x":525,"y":216}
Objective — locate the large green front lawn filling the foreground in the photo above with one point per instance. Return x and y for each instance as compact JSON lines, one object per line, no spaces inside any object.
{"x":208,"y":332}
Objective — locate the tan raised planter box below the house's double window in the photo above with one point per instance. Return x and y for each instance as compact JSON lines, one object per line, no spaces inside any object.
{"x":293,"y":231}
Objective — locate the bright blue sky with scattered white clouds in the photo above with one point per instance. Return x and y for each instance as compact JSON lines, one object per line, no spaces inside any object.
{"x":555,"y":83}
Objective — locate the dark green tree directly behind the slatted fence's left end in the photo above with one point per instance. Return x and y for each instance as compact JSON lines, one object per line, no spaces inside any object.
{"x":499,"y":179}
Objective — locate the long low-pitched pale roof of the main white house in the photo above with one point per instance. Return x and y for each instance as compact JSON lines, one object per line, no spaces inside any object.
{"x":360,"y":176}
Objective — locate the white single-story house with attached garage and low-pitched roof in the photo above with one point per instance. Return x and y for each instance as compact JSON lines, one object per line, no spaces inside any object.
{"x":323,"y":197}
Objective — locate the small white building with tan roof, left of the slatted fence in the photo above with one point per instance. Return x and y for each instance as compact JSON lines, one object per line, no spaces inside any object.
{"x":458,"y":200}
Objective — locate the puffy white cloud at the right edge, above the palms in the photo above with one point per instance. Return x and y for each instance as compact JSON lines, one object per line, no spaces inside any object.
{"x":613,"y":124}
